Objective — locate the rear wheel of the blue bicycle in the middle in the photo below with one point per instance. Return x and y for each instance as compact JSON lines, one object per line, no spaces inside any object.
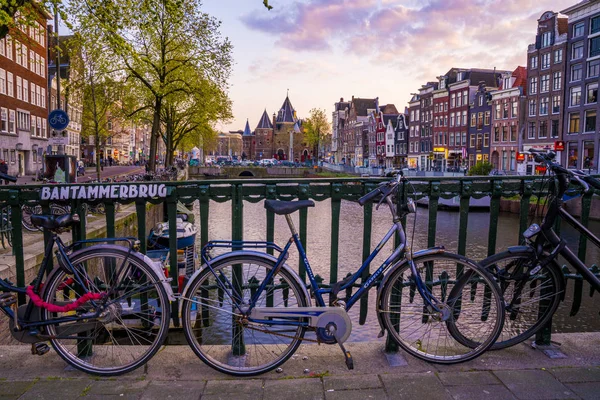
{"x":219,"y":335}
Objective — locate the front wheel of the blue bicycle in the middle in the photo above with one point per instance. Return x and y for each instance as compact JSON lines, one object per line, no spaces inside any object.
{"x":474,"y":308}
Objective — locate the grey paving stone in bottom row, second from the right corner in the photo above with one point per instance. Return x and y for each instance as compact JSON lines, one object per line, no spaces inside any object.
{"x":534,"y":384}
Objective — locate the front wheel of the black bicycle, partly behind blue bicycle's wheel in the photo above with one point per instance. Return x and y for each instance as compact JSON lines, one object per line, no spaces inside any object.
{"x":530,"y":300}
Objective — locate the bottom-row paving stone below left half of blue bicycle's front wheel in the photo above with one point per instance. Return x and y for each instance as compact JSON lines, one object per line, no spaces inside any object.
{"x":413,"y":386}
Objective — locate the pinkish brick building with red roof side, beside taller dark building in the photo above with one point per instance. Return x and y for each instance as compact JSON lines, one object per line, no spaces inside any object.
{"x":508,"y":120}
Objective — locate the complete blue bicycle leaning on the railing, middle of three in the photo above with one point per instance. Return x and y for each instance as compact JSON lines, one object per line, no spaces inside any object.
{"x":246,"y":312}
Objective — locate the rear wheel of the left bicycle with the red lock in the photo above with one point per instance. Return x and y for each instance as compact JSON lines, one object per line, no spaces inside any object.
{"x":134,"y":312}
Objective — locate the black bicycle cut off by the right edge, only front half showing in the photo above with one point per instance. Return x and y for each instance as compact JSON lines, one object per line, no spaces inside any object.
{"x":529,"y":276}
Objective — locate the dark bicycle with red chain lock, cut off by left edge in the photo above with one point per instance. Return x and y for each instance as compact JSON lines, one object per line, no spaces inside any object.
{"x":104,"y":308}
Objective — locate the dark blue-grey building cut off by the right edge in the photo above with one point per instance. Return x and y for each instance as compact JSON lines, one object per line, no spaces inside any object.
{"x":580,"y":122}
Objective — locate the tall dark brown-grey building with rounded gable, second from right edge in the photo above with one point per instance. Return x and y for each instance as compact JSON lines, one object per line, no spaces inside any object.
{"x":546,"y":61}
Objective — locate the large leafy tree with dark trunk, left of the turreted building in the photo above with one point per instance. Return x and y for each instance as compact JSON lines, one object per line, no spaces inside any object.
{"x":158,"y":43}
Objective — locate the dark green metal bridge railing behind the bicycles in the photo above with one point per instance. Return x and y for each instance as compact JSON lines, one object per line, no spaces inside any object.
{"x":239,"y":192}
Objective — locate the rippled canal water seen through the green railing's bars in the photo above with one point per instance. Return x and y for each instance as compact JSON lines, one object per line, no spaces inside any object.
{"x":350,"y":248}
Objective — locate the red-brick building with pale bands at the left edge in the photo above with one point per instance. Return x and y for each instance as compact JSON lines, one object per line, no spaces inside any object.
{"x":23,"y":95}
